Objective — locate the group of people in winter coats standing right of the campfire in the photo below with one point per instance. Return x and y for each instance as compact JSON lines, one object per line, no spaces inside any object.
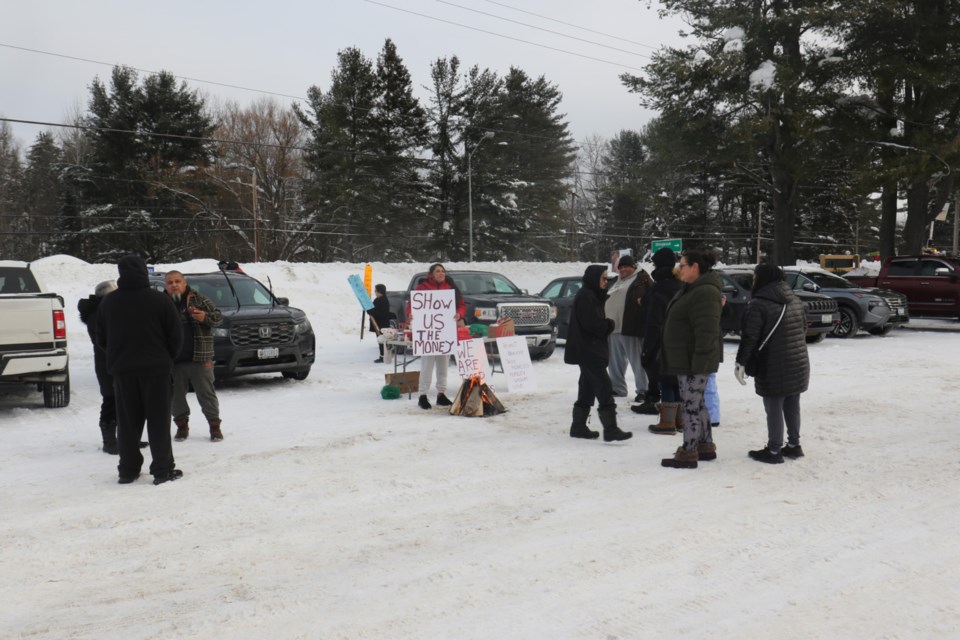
{"x":666,"y":326}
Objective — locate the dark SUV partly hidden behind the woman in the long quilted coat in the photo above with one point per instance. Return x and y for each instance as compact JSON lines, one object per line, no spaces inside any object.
{"x":822,"y":311}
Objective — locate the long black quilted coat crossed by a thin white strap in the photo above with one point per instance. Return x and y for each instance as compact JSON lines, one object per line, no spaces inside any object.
{"x":783,"y":368}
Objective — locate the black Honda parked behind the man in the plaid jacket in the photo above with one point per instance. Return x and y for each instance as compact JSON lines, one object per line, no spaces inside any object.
{"x":260,"y":333}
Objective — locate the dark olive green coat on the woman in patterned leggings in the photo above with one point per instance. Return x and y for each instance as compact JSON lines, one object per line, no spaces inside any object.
{"x":691,"y":332}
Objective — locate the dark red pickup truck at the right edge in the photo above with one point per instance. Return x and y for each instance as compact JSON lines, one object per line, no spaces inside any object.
{"x":930,"y":282}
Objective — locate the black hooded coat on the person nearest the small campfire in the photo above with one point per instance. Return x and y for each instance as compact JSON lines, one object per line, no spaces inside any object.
{"x":589,"y":326}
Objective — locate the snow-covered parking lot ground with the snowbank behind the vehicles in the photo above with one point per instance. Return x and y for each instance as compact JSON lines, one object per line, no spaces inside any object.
{"x":328,"y":512}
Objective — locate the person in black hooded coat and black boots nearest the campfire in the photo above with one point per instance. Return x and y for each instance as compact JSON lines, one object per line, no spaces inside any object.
{"x":587,"y":347}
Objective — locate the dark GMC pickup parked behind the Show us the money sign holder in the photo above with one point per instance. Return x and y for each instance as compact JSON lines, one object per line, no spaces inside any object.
{"x":490,"y":296}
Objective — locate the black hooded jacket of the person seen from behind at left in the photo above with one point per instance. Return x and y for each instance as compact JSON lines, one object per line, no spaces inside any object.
{"x":137,"y":327}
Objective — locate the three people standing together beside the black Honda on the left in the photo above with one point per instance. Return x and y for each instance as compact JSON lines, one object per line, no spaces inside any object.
{"x":150,"y":348}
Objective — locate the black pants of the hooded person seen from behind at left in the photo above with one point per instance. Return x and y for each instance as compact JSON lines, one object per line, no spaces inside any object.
{"x":143,"y":397}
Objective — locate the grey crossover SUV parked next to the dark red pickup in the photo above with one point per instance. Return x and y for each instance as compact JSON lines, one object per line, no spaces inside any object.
{"x":874,"y":310}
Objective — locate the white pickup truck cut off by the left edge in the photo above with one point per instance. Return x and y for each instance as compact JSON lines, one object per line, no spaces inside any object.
{"x":33,"y":335}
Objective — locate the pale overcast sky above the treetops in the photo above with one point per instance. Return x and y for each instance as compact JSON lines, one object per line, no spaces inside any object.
{"x":284,"y":48}
